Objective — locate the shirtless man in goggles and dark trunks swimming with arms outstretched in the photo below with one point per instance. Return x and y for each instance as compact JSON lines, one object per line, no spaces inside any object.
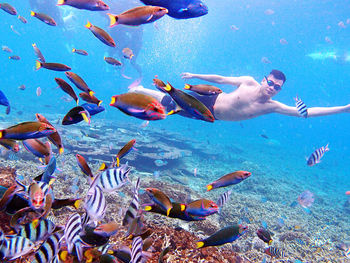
{"x":251,"y":98}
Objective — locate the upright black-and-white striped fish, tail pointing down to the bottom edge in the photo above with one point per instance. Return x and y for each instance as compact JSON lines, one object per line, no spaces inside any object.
{"x":71,"y":234}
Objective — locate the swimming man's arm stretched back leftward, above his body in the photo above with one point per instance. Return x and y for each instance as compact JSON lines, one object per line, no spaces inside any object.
{"x":235,"y":81}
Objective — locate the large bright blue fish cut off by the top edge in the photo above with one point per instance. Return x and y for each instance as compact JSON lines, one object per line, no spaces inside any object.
{"x":181,"y":9}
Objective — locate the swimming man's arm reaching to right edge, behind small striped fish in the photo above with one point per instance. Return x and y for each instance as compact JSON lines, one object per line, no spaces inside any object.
{"x":312,"y":112}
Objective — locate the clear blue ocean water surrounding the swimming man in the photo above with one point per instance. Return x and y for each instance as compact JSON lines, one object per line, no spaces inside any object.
{"x":230,"y":40}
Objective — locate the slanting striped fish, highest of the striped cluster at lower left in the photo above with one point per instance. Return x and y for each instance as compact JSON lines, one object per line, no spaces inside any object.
{"x":112,"y":178}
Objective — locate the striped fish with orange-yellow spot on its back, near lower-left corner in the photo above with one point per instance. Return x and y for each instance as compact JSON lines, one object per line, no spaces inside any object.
{"x":37,"y":230}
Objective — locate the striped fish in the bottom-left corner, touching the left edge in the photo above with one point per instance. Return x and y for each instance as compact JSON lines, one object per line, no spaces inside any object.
{"x":15,"y":247}
